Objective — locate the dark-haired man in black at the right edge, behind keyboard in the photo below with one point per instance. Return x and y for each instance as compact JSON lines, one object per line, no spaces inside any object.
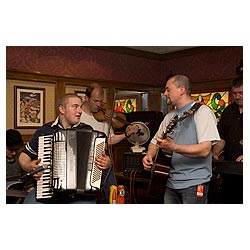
{"x":230,"y":147}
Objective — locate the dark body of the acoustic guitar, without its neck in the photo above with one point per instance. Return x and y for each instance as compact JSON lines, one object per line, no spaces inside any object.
{"x":159,"y":176}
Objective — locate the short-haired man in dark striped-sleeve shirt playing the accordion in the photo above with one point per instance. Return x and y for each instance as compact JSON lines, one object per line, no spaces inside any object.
{"x":69,"y":110}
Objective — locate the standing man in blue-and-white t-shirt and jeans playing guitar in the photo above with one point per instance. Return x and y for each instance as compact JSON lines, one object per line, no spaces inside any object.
{"x":189,"y":145}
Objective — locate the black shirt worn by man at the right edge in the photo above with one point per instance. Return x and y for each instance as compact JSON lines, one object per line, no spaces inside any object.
{"x":231,"y":130}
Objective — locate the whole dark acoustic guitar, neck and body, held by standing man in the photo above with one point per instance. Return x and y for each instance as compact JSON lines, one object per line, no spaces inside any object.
{"x":162,"y":161}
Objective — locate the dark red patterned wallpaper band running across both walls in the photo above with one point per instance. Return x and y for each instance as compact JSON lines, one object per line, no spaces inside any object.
{"x":98,"y":64}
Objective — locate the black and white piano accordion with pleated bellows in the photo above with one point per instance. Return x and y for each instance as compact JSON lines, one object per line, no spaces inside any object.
{"x":69,"y":156}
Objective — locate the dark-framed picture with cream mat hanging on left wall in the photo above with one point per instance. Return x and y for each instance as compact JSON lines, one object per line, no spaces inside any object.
{"x":29,"y":107}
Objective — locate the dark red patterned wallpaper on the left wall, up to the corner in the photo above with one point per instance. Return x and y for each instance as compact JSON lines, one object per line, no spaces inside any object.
{"x":84,"y":62}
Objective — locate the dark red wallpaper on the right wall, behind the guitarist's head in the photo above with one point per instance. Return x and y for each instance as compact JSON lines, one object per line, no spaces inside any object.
{"x":210,"y":65}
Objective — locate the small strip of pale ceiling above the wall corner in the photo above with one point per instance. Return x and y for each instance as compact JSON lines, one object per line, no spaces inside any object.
{"x":160,"y":49}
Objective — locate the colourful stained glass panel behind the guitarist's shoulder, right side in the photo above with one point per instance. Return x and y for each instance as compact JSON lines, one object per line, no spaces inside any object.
{"x":217,"y":101}
